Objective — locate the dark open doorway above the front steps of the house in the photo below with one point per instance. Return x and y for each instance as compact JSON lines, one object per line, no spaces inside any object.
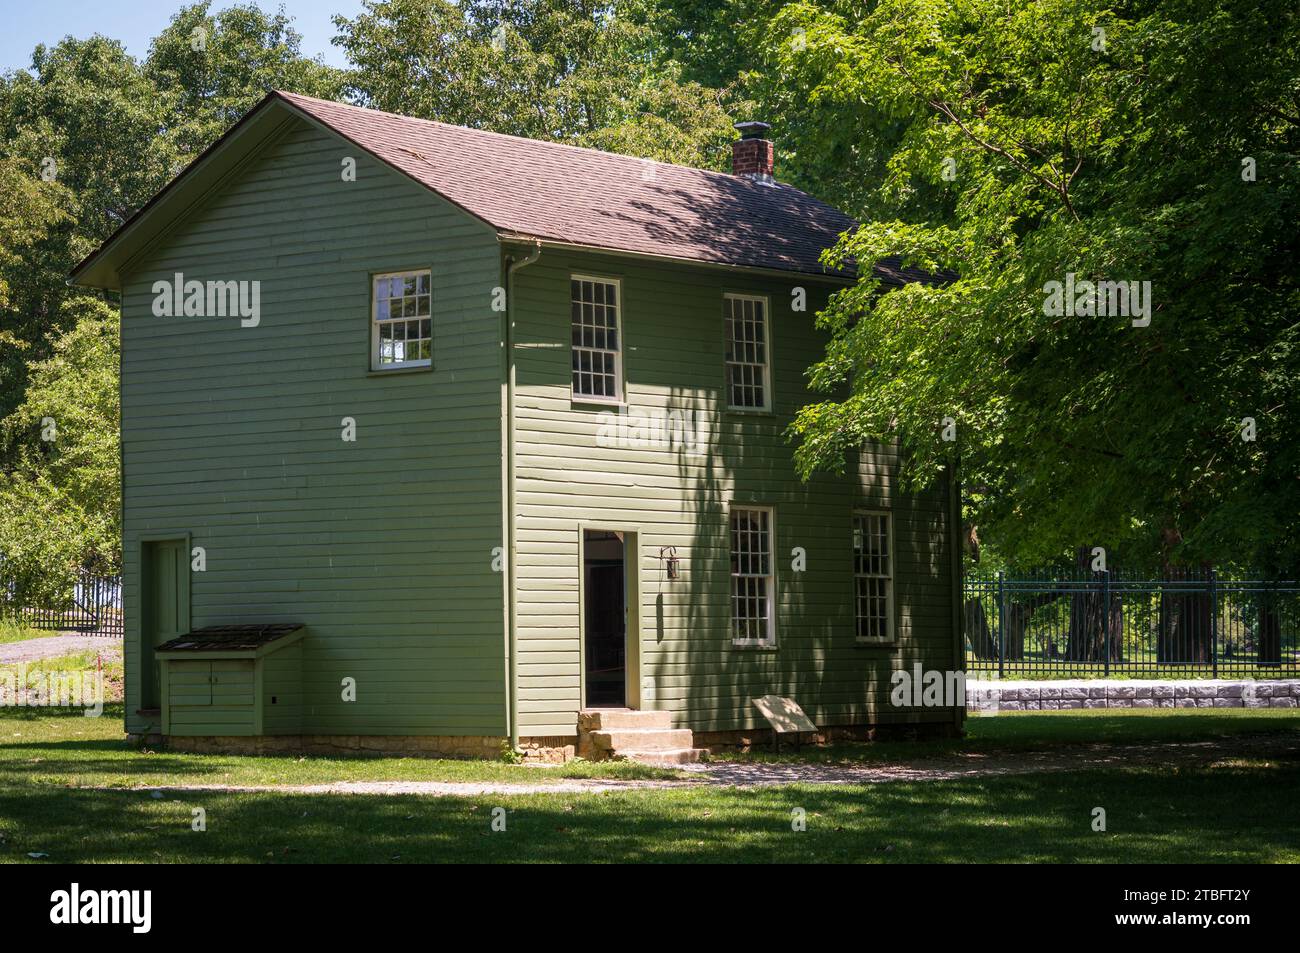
{"x":605,"y":620}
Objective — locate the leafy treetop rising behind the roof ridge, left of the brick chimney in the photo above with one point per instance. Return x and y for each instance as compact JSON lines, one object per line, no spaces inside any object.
{"x":570,"y":72}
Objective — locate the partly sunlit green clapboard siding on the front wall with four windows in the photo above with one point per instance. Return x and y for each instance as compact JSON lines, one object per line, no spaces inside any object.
{"x":674,"y":361}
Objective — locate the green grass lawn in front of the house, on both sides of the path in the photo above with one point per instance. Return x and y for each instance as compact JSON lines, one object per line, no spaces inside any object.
{"x":1240,"y":809}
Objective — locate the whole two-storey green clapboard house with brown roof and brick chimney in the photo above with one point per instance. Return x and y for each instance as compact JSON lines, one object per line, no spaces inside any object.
{"x":434,"y":439}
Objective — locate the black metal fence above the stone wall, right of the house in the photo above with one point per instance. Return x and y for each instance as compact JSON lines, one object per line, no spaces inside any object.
{"x":1188,"y":625}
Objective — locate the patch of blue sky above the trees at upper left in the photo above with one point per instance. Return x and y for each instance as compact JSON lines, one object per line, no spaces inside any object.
{"x":136,"y":23}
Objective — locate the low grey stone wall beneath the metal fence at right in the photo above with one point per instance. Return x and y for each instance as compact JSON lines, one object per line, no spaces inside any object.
{"x":1132,"y":694}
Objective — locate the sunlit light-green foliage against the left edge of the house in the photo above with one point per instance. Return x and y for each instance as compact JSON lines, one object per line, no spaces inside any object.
{"x":60,"y":504}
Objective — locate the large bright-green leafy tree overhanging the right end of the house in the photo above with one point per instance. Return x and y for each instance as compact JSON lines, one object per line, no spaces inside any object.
{"x":1124,"y":163}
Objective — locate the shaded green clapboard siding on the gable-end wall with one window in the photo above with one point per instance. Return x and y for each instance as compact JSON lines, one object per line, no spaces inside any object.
{"x":382,"y":548}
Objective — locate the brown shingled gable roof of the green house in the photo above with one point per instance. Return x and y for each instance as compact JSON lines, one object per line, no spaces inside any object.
{"x":541,"y":190}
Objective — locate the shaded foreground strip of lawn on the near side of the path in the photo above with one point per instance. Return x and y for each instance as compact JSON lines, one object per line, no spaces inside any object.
{"x":1223,"y":815}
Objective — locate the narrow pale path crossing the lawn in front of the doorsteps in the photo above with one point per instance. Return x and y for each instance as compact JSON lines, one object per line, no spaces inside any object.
{"x":759,"y":774}
